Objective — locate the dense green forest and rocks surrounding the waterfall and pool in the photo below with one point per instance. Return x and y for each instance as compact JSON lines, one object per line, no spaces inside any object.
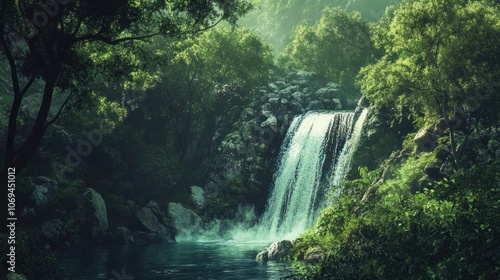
{"x":114,"y":113}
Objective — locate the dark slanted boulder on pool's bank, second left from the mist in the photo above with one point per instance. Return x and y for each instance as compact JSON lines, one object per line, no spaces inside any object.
{"x":155,"y":221}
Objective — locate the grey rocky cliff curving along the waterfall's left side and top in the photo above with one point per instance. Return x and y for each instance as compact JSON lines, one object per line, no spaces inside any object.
{"x":245,"y":156}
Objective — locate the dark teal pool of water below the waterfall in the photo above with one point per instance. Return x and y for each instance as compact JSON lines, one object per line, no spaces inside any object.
{"x":185,"y":260}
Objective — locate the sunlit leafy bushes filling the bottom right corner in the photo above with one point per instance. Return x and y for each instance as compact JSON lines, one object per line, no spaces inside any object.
{"x":446,"y":231}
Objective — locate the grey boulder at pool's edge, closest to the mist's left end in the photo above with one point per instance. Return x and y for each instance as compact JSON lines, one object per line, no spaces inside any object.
{"x":183,"y":219}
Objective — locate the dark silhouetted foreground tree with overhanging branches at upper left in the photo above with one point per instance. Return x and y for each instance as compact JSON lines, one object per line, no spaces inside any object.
{"x":56,"y":41}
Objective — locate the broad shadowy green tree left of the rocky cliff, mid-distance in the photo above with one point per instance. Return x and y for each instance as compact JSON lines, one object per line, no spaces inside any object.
{"x":203,"y":78}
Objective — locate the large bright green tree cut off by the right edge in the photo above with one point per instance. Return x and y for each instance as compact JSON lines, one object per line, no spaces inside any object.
{"x":441,"y":59}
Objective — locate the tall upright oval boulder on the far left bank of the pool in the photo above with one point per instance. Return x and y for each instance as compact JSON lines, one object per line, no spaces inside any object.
{"x":95,"y":214}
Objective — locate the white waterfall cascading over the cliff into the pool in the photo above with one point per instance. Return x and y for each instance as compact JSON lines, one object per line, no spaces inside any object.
{"x":314,"y":156}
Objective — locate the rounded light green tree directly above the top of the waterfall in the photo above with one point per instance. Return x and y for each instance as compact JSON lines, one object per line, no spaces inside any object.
{"x":336,"y":48}
